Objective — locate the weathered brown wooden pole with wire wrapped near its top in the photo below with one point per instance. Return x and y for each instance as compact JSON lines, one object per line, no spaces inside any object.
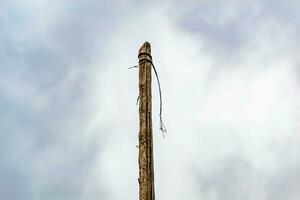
{"x":146,"y":167}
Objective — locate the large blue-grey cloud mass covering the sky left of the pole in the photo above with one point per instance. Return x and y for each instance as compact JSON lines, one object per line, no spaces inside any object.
{"x":43,"y":148}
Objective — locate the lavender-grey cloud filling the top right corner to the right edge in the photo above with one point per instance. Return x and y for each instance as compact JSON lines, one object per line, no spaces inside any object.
{"x":227,"y":28}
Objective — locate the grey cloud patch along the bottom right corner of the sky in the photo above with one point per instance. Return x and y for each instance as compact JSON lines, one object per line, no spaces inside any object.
{"x":236,"y":178}
